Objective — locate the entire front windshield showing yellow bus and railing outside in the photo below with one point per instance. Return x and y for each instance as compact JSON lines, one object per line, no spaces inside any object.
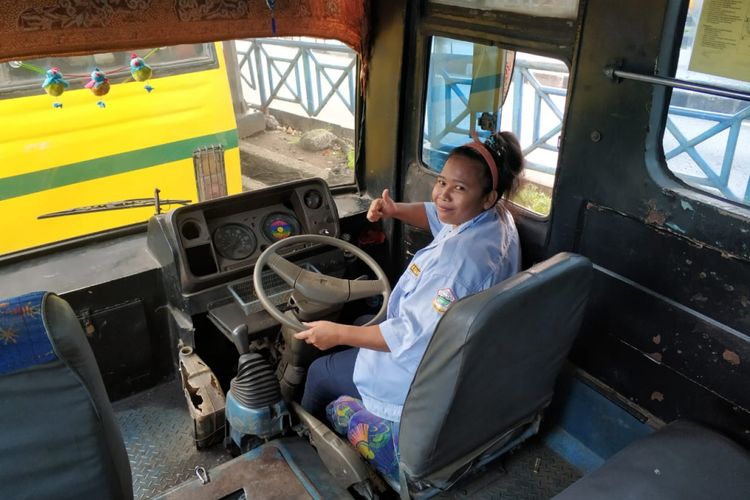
{"x":209,"y":120}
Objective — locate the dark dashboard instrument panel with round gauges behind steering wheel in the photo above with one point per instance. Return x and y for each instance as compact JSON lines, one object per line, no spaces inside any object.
{"x":217,"y":241}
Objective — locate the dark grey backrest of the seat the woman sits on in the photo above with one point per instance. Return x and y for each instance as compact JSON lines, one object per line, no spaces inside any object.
{"x":491,"y":366}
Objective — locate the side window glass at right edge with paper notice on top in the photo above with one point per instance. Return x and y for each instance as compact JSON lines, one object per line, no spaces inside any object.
{"x":704,"y":134}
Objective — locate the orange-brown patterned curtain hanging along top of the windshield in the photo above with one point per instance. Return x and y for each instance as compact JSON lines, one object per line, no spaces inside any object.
{"x":40,"y":28}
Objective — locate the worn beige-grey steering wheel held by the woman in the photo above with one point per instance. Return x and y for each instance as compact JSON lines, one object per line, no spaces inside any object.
{"x":317,"y":287}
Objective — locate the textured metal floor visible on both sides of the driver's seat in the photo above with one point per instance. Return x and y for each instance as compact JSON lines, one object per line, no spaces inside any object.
{"x":158,"y":435}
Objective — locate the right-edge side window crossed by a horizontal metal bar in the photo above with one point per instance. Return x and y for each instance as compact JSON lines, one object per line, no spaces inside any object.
{"x":704,"y":133}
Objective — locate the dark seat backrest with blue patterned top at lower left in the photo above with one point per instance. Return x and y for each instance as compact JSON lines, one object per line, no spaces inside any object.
{"x":58,"y":436}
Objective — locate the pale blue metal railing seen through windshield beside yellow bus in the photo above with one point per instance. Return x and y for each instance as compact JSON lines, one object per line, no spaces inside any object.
{"x":296,"y":71}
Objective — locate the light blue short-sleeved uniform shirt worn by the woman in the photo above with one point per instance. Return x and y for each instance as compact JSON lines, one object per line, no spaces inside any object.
{"x":460,"y":261}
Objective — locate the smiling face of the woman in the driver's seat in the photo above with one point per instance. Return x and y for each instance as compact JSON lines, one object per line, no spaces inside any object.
{"x":458,"y":191}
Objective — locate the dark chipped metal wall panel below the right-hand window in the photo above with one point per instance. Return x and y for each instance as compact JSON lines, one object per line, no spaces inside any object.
{"x":668,"y":320}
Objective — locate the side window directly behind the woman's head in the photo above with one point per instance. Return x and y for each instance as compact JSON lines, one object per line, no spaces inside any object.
{"x":528,"y":99}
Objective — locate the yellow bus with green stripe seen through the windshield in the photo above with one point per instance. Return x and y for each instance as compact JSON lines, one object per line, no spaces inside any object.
{"x":82,"y":154}
